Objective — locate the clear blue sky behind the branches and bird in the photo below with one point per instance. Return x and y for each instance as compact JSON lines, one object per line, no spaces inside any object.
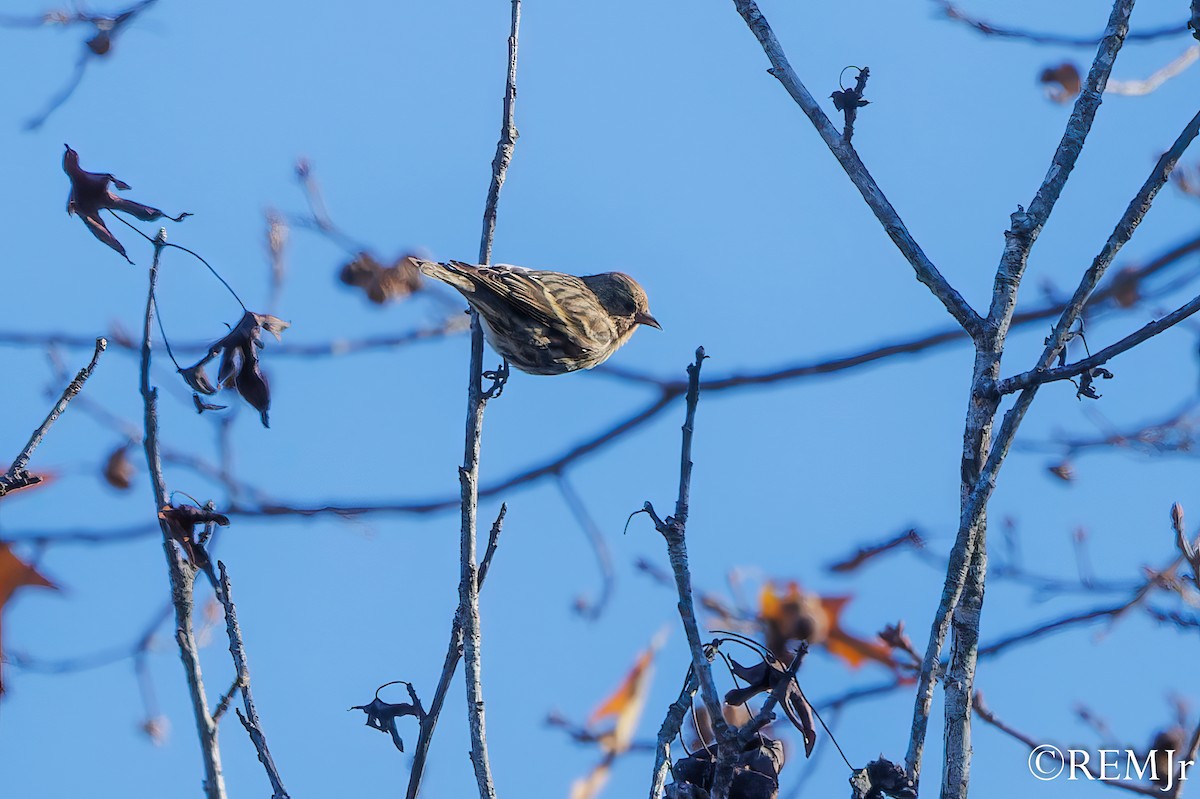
{"x":652,"y":142}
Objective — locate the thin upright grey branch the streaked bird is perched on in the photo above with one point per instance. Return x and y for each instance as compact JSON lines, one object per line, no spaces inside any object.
{"x":469,"y":476}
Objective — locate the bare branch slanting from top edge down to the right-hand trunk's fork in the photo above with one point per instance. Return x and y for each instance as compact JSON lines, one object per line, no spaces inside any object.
{"x":927,"y":273}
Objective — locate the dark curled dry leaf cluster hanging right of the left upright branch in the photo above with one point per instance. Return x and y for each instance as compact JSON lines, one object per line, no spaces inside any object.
{"x":239,"y":367}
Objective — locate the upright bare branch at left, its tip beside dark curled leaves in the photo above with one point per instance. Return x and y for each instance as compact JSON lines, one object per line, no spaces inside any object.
{"x":182,"y":574}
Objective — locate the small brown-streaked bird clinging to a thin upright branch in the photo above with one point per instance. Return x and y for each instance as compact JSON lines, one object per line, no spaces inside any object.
{"x":549,"y":323}
